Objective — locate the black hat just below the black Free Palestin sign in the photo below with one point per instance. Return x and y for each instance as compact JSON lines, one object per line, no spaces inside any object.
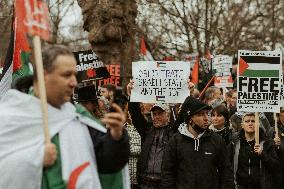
{"x":87,"y":93}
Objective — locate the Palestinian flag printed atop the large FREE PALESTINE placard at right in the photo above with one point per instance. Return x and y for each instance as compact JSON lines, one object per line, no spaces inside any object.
{"x":259,"y":66}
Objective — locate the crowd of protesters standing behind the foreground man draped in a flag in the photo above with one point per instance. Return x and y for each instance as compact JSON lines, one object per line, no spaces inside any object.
{"x":159,"y":157}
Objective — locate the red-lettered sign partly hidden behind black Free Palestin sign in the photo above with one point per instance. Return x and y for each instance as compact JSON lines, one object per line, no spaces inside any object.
{"x":114,"y":76}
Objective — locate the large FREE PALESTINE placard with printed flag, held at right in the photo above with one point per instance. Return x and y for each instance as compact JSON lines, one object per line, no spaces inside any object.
{"x":259,"y":81}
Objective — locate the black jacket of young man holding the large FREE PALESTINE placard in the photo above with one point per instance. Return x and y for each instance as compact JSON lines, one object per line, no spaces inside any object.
{"x":250,"y":168}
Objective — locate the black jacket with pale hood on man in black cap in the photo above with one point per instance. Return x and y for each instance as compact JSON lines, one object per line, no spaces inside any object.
{"x":196,"y":163}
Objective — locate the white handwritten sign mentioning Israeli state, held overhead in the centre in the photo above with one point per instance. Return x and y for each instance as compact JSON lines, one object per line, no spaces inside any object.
{"x":160,"y":81}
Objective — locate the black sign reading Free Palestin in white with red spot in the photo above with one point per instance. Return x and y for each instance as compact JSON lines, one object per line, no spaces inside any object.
{"x":89,"y":66}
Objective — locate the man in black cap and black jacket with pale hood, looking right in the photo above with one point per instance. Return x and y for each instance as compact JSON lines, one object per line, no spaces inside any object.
{"x":196,"y":157}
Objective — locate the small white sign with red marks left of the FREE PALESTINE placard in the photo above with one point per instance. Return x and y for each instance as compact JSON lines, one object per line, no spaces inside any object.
{"x":222,"y":65}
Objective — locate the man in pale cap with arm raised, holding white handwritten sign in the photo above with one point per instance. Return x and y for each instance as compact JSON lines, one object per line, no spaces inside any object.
{"x":154,"y":137}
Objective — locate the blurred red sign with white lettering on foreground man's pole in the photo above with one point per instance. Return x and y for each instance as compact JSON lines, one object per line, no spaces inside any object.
{"x":32,"y":17}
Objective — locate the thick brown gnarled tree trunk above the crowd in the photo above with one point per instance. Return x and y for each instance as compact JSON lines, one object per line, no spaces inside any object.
{"x":112,"y":28}
